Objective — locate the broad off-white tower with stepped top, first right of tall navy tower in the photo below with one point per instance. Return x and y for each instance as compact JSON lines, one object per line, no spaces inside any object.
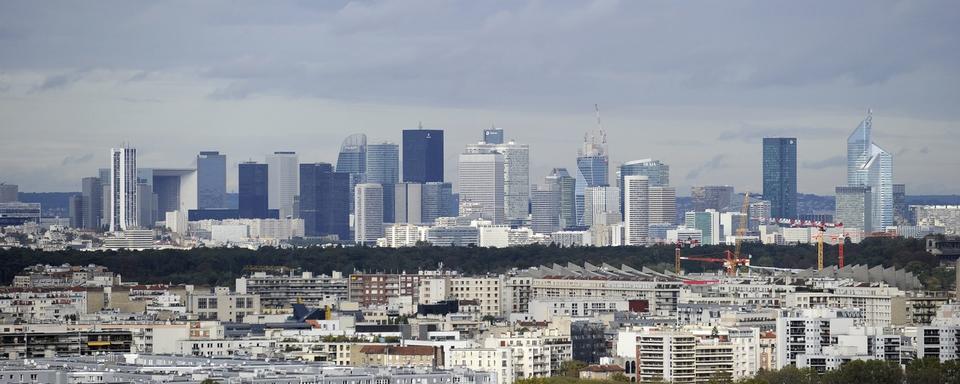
{"x":481,"y":182}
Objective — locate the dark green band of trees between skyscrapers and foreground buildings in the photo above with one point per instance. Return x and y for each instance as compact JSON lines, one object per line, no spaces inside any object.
{"x":210,"y":266}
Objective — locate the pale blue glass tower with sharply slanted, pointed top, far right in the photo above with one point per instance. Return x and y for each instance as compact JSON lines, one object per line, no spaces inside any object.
{"x":869,"y":165}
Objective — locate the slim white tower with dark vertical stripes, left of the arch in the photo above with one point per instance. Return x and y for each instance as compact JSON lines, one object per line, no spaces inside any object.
{"x":123,"y":189}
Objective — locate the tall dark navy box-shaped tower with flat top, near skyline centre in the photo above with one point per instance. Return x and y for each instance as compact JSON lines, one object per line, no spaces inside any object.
{"x":422,"y":155}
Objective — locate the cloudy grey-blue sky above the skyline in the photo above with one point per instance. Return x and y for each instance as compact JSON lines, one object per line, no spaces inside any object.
{"x":694,"y":84}
